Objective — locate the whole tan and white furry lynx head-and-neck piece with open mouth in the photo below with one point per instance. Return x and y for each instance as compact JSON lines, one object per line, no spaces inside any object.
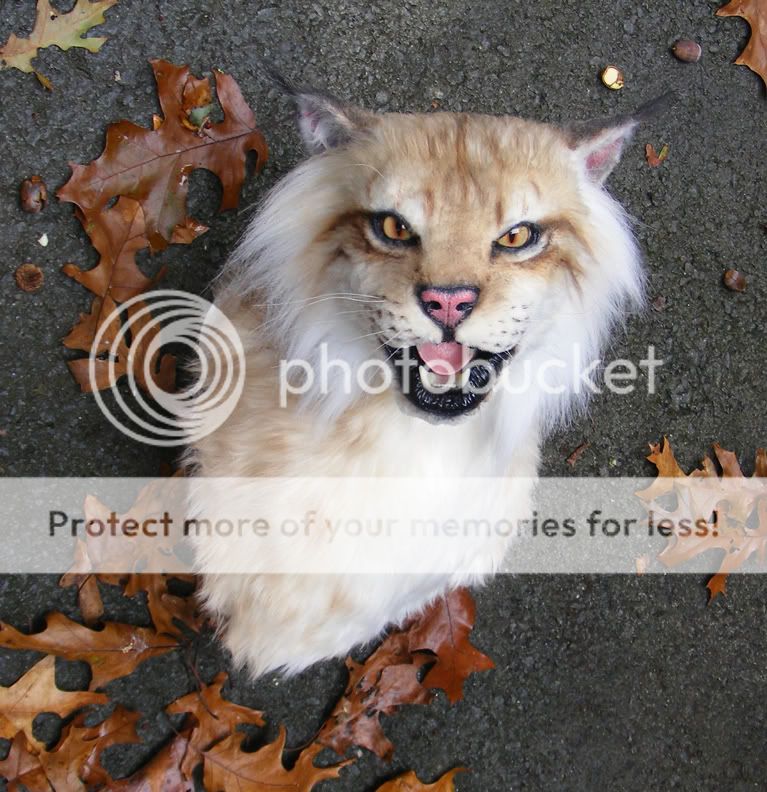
{"x":460,"y":250}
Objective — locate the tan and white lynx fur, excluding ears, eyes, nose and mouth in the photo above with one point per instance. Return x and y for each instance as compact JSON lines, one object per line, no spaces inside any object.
{"x":461,"y":181}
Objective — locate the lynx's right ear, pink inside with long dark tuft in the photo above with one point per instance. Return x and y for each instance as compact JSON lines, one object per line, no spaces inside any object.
{"x":599,"y":144}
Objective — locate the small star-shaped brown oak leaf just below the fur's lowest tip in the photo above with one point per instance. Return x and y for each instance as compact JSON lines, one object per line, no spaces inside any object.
{"x":210,"y":718}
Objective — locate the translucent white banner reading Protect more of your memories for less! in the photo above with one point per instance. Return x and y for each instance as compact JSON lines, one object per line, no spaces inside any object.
{"x":383,"y":526}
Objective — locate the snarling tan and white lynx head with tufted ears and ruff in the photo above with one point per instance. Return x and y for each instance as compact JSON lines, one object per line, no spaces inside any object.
{"x":454,"y":246}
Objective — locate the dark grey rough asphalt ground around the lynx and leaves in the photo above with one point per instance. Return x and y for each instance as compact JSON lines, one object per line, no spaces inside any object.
{"x":601,"y":682}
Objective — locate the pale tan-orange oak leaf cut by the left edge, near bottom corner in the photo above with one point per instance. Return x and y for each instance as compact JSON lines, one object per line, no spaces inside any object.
{"x":36,"y":692}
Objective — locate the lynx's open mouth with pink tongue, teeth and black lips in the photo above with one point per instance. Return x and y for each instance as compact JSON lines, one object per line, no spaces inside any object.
{"x":448,"y":379}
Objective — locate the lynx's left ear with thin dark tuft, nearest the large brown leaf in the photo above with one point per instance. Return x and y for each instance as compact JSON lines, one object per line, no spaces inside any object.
{"x":324,"y":121}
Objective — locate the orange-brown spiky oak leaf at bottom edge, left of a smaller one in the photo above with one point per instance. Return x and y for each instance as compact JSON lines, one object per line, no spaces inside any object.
{"x":227,"y":768}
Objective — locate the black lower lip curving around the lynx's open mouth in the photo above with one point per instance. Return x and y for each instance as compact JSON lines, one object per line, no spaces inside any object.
{"x":452,"y":403}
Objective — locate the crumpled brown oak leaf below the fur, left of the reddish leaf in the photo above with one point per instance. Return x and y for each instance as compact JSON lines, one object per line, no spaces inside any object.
{"x":388,"y":679}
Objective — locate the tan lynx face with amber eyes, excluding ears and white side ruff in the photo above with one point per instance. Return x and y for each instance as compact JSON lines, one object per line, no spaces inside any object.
{"x":469,"y":230}
